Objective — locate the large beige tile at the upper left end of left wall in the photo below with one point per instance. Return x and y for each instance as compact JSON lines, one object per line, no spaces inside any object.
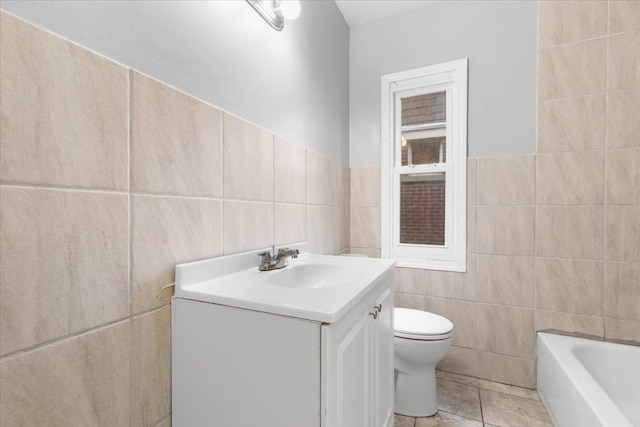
{"x":72,"y":107}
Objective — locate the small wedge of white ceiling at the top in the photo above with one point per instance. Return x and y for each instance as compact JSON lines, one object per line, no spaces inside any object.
{"x":358,"y":12}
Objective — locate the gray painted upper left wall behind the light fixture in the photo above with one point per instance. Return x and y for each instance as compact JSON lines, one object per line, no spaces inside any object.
{"x":294,"y":82}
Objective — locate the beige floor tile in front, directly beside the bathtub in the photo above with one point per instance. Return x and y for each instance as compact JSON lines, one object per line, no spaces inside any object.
{"x":504,"y":410}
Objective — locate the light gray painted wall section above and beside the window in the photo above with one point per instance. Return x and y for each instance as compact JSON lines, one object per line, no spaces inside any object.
{"x":498,"y":37}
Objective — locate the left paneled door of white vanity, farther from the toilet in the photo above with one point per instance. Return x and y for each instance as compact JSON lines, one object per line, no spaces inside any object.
{"x":346,"y":371}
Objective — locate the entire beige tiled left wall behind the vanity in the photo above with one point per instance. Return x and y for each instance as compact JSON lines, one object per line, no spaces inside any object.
{"x":108,"y":179}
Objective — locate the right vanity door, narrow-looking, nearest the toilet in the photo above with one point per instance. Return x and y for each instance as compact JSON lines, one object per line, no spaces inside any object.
{"x":382,"y":369}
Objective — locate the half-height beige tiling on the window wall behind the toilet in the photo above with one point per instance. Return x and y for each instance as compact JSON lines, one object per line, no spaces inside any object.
{"x":492,"y":304}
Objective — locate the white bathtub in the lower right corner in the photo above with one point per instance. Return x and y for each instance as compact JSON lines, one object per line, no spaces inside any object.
{"x":585,"y":383}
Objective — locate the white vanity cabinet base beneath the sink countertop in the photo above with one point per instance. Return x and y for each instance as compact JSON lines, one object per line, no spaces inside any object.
{"x":237,"y":367}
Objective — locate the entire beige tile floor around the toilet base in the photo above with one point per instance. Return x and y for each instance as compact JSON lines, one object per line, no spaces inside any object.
{"x":471,"y":402}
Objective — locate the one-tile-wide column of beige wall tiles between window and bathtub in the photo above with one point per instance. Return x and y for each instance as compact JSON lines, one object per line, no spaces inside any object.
{"x":505,"y":235}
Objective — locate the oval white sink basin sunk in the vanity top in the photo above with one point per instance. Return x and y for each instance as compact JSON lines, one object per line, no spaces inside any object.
{"x":314,"y":276}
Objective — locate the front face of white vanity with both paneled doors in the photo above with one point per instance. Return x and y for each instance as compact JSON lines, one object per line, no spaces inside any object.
{"x":357,"y":364}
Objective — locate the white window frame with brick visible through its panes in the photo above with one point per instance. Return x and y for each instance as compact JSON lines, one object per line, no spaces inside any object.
{"x":450,"y":77}
